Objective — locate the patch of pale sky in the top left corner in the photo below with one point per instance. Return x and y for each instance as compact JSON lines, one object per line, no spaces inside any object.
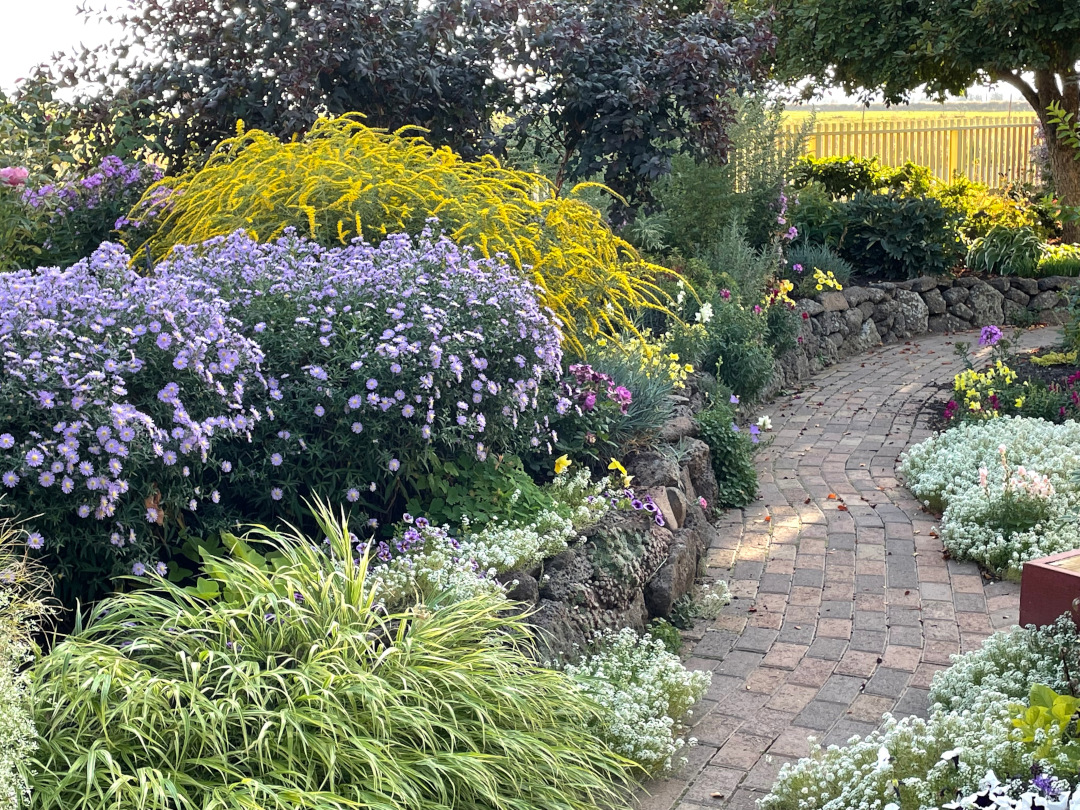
{"x":35,"y":30}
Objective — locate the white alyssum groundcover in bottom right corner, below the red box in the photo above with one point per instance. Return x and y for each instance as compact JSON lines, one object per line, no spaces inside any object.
{"x":950,"y":761}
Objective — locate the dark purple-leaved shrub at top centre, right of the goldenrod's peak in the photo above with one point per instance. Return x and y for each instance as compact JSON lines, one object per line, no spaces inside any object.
{"x":623,"y":86}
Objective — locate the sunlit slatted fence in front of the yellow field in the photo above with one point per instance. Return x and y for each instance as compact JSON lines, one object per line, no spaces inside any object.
{"x":989,"y":151}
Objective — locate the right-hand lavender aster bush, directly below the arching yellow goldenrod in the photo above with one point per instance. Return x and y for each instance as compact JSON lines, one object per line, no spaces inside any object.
{"x":381,"y":360}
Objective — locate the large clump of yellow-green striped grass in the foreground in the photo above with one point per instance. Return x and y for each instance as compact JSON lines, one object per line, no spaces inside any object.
{"x":300,"y":691}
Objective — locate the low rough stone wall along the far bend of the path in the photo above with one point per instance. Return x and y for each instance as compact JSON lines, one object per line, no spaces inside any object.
{"x":841,"y":325}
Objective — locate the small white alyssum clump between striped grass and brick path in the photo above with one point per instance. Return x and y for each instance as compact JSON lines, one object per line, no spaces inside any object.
{"x":646,"y":694}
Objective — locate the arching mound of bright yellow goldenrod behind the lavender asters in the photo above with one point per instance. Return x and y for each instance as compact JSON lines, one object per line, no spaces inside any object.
{"x":345,"y":180}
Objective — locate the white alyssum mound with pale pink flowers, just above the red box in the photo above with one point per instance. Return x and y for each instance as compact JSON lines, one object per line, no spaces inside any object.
{"x":956,"y":472}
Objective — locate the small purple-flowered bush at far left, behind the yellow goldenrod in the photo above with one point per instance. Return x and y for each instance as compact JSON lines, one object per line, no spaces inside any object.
{"x":78,"y":215}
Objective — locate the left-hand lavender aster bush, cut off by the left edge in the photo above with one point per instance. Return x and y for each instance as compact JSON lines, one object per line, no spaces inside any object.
{"x":114,"y":388}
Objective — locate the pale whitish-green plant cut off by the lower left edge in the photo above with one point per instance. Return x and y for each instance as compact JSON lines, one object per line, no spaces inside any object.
{"x":17,"y":726}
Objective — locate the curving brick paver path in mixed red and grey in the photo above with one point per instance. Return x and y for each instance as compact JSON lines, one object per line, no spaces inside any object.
{"x":845,"y":606}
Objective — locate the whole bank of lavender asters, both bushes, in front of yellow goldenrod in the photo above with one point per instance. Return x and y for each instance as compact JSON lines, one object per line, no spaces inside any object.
{"x":236,"y":379}
